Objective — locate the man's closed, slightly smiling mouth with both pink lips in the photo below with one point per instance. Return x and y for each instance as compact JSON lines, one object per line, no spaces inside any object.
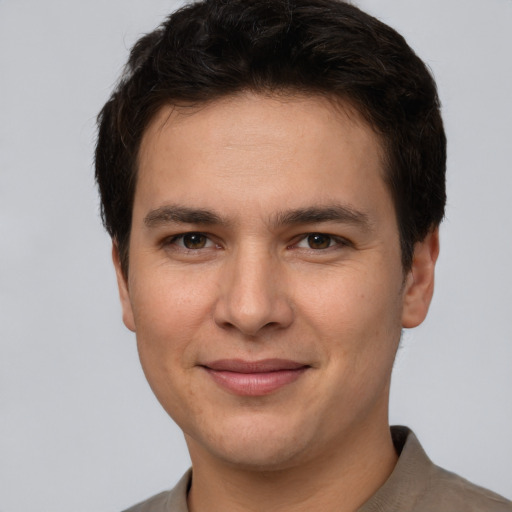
{"x":254,"y":378}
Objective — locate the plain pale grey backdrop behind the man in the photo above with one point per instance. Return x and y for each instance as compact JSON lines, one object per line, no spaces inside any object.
{"x":79,"y":428}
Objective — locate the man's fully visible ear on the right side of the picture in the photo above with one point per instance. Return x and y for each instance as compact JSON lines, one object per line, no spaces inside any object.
{"x":419,"y":284}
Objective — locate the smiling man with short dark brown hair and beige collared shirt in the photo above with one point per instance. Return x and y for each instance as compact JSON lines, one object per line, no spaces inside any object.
{"x":272,"y":176}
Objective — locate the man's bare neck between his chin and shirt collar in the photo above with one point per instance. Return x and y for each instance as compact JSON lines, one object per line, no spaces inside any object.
{"x":340,"y":479}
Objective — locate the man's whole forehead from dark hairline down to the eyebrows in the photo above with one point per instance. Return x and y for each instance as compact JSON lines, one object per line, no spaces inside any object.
{"x":254,"y":148}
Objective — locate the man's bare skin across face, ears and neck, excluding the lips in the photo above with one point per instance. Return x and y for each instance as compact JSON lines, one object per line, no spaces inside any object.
{"x":253,"y":285}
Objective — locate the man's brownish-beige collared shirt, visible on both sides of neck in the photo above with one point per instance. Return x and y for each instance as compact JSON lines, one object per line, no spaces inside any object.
{"x":416,"y":485}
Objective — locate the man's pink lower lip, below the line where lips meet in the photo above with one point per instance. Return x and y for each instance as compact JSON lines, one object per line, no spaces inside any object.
{"x":255,"y":384}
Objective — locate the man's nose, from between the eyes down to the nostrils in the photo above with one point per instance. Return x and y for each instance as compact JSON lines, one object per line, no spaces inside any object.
{"x":253,"y":296}
